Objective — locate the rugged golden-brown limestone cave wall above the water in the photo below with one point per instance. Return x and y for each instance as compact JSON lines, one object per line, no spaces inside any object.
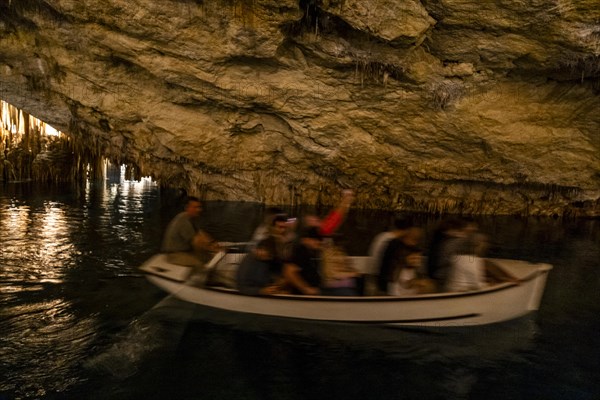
{"x":438,"y":105}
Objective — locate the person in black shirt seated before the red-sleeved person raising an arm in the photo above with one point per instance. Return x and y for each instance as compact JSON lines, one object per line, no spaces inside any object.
{"x":301,"y":271}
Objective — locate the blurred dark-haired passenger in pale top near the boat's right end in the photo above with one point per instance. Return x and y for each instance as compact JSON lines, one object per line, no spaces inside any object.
{"x":467,"y":268}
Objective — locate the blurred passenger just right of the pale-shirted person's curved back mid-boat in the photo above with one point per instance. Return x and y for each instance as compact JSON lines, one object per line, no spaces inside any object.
{"x":406,"y":279}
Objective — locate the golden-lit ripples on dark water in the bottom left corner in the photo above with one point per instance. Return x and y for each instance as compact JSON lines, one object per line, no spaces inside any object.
{"x":43,"y":342}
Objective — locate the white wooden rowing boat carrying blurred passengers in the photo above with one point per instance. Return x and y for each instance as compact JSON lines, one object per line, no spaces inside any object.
{"x":501,"y":302}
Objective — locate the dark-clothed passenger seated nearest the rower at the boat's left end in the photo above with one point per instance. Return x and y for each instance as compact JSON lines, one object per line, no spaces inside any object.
{"x":259,"y":272}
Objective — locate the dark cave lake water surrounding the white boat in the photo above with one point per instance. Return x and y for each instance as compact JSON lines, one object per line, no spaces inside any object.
{"x":78,"y":321}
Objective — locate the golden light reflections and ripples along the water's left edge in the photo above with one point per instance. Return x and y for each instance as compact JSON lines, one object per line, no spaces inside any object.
{"x":40,"y":332}
